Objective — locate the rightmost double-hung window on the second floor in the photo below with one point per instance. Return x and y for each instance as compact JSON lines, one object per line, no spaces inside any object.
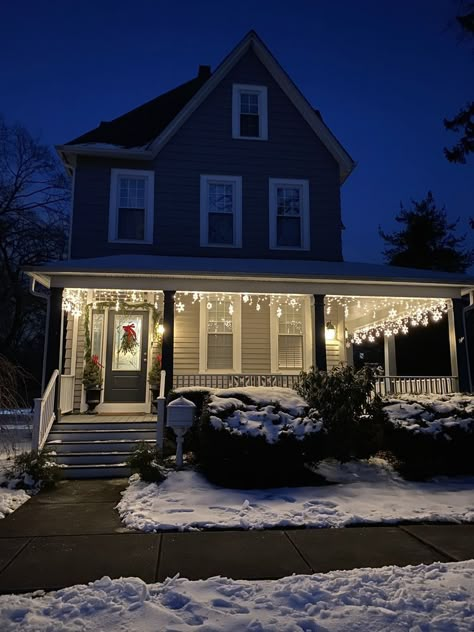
{"x":289,"y":214}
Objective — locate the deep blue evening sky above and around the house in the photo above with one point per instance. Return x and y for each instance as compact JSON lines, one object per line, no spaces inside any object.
{"x":383,"y":74}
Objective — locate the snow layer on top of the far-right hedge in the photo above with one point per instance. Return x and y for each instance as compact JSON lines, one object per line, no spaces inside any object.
{"x":431,"y":414}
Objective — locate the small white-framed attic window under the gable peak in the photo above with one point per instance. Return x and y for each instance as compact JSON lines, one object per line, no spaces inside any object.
{"x":249,"y":112}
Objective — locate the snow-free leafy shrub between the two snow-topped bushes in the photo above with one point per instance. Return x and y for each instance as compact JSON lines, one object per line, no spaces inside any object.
{"x":353,"y":418}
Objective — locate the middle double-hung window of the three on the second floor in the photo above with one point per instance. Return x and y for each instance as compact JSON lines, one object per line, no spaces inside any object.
{"x":221,"y":211}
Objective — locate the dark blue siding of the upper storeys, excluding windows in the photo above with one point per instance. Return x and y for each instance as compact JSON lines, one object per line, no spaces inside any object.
{"x":204,"y":145}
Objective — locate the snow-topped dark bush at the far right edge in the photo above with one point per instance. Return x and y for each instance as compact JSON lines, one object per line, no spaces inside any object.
{"x":431,"y":435}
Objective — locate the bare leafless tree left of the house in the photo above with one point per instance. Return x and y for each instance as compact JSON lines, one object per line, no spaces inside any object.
{"x":34,"y":198}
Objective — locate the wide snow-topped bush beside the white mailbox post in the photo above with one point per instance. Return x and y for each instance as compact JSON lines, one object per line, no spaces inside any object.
{"x":258,"y":437}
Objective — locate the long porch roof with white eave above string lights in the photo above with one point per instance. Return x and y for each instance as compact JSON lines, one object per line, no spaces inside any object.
{"x":184,"y":272}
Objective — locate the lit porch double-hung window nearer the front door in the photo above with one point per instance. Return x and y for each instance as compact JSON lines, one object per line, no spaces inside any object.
{"x":220,"y":335}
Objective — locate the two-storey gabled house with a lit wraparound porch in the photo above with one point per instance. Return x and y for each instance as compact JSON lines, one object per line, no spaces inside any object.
{"x":208,"y":222}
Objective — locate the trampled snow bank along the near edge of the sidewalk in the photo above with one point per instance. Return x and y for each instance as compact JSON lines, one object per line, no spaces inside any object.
{"x":391,"y":599}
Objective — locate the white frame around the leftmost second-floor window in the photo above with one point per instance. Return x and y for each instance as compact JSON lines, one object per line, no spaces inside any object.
{"x":115,"y":176}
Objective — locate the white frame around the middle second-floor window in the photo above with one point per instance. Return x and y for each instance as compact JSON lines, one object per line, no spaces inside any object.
{"x":236,"y":182}
